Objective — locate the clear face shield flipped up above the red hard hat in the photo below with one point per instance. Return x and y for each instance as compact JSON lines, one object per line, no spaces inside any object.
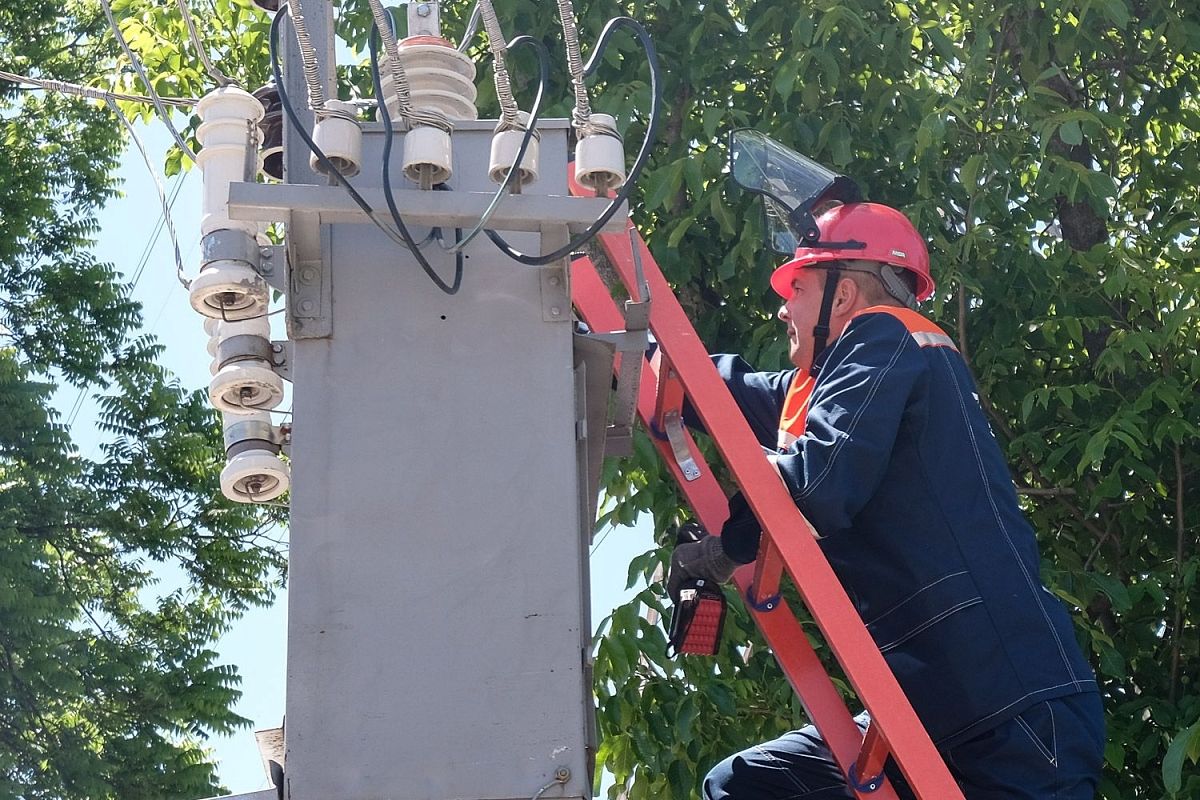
{"x":794,"y":188}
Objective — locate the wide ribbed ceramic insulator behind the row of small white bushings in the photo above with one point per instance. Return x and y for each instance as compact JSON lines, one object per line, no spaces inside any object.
{"x":439,"y":77}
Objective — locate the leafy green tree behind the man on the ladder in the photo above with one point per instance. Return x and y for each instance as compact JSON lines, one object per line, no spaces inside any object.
{"x":1048,"y":151}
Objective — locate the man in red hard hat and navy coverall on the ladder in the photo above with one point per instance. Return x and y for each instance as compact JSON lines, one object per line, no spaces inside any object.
{"x":881,"y":442}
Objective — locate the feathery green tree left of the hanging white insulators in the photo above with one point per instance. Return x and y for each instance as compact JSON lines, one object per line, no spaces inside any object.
{"x":109,"y":683}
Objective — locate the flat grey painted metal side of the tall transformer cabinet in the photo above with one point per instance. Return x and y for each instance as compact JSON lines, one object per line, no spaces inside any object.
{"x":437,"y":622}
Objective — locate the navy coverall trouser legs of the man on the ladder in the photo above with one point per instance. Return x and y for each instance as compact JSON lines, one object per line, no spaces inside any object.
{"x":1052,"y":751}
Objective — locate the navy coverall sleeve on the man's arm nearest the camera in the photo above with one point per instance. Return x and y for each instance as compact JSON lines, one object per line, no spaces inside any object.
{"x":856,"y":412}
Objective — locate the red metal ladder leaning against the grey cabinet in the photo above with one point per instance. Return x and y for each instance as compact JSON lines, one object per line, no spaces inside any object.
{"x":682,"y":366}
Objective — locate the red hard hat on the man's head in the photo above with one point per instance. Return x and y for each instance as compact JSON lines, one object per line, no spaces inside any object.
{"x":889,"y":238}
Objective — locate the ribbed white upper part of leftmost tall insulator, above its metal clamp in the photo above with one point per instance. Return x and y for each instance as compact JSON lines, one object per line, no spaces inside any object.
{"x":229,"y":116}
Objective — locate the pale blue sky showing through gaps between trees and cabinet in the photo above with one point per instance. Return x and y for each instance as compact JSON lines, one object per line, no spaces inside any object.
{"x":257,"y":643}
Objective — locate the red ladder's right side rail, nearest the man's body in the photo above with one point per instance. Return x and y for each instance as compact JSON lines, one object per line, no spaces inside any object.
{"x":893,"y":719}
